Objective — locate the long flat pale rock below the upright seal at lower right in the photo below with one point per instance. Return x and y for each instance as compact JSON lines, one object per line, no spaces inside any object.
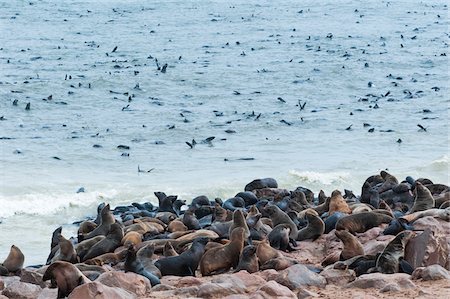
{"x":379,"y":281}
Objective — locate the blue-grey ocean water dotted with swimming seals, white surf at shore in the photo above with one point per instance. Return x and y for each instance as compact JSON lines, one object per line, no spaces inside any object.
{"x":238,"y":71}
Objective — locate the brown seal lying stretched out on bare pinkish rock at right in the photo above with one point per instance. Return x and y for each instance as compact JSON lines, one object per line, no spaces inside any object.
{"x":362,"y":222}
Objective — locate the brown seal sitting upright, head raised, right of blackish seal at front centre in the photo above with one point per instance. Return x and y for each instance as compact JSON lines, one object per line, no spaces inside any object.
{"x":222,"y":258}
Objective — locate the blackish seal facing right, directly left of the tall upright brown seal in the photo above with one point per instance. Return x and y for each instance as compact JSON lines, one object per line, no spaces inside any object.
{"x":184,"y":264}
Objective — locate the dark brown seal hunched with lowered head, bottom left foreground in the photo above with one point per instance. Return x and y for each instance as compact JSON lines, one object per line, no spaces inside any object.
{"x":66,"y":276}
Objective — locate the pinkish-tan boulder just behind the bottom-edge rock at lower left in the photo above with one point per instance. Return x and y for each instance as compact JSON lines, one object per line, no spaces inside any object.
{"x":131,"y":282}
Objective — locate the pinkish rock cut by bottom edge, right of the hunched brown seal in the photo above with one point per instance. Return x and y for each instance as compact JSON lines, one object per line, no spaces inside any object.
{"x":98,"y":290}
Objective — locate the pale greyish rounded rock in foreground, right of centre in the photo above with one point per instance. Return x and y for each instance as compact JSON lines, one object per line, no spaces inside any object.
{"x":298,"y":276}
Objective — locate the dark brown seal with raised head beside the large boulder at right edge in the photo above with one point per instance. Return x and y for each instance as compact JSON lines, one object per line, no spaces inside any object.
{"x":390,"y":259}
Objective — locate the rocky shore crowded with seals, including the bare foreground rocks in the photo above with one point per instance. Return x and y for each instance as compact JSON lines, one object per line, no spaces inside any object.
{"x":266,"y":242}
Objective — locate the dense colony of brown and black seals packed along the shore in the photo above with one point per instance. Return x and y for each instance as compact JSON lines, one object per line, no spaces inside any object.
{"x":263,"y":227}
